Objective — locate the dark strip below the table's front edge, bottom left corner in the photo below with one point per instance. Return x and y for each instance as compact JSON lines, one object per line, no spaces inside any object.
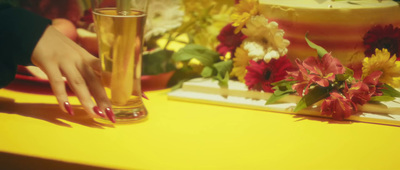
{"x":13,"y":161}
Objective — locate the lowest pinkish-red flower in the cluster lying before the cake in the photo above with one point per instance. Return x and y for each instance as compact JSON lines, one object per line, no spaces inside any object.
{"x":338,"y":106}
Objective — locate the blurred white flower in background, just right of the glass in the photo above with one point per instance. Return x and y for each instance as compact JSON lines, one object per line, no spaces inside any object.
{"x":162,"y":16}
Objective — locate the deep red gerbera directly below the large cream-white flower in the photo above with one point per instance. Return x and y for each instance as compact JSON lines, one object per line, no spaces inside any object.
{"x":260,"y":75}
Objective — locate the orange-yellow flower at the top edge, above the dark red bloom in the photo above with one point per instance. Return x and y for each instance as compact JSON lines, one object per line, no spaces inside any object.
{"x":244,"y":10}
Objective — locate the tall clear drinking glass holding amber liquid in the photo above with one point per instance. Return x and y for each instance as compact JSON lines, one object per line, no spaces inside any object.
{"x":119,"y":26}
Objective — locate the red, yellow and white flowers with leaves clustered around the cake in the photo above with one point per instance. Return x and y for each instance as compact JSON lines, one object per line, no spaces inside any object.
{"x":253,"y":50}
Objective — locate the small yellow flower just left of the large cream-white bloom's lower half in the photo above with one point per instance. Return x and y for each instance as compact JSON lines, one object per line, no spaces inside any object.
{"x":240,"y":62}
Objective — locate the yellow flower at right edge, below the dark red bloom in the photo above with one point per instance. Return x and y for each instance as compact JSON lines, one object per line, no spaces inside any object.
{"x":381,"y":61}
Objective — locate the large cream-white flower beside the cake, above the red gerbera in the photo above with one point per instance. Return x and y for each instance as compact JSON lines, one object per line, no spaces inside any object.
{"x":266,"y":34}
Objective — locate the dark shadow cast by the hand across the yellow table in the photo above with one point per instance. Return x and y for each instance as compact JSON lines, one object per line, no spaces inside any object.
{"x":50,"y":113}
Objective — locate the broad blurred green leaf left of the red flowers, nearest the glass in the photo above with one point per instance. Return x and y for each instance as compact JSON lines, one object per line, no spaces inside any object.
{"x":206,"y":56}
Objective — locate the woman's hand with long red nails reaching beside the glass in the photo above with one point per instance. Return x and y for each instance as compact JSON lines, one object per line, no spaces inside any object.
{"x":59,"y":56}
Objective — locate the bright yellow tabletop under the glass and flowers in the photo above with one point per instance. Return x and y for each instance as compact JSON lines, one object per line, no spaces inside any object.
{"x":183,"y":135}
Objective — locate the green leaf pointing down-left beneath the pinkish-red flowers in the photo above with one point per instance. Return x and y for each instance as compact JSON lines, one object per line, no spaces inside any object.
{"x":314,"y":95}
